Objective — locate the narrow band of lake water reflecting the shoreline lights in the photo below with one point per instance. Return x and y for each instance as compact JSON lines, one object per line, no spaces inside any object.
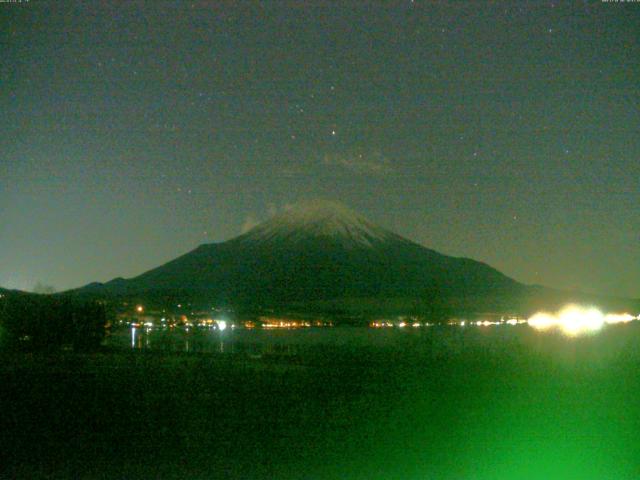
{"x":311,"y":342}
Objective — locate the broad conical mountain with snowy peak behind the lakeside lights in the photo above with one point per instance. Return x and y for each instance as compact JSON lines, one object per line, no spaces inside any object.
{"x":325,"y":258}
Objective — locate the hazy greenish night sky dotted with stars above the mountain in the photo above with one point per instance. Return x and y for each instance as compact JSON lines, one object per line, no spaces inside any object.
{"x":507,"y":132}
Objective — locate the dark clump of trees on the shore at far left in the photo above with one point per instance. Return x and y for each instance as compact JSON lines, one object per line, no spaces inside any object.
{"x":49,"y":322}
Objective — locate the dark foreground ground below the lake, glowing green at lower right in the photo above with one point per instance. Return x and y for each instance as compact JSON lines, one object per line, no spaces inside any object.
{"x":537,"y":407}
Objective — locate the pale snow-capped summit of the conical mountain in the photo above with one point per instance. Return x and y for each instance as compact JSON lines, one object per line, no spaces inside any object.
{"x":319,"y":219}
